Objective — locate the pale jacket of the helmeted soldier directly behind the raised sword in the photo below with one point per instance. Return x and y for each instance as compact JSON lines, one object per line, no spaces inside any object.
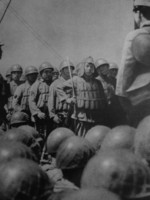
{"x":55,"y":106}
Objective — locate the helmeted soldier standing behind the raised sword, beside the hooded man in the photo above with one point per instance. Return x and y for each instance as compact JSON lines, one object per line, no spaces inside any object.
{"x":59,"y":111}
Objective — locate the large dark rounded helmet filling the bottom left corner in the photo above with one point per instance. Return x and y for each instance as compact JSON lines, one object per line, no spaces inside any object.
{"x":22,"y":179}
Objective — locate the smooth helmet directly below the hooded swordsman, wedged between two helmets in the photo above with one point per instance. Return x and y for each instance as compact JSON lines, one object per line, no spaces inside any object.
{"x":96,"y":135}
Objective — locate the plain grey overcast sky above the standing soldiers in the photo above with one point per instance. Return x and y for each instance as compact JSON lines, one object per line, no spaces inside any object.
{"x":34,"y":31}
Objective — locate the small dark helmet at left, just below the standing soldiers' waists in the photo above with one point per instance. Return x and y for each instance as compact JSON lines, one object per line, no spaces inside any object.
{"x":19,"y":118}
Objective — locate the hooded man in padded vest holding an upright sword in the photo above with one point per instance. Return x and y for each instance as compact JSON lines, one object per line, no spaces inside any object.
{"x":89,"y":99}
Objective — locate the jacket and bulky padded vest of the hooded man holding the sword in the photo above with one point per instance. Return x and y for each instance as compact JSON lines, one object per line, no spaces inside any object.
{"x":90,"y":98}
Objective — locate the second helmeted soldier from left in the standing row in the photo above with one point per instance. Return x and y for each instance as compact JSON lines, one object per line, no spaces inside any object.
{"x":21,"y":95}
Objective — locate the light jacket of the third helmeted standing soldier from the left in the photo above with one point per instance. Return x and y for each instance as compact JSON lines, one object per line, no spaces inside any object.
{"x":38,"y":99}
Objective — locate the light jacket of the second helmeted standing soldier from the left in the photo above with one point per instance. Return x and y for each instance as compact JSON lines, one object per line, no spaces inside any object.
{"x":21,"y":97}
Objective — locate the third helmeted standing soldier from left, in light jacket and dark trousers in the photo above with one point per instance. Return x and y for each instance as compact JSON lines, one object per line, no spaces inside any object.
{"x":38,"y":99}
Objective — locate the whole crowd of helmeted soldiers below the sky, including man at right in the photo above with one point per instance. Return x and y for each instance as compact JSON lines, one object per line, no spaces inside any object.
{"x":66,"y":135}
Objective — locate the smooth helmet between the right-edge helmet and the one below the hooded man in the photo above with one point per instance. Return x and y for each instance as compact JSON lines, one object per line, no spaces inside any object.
{"x":119,"y":137}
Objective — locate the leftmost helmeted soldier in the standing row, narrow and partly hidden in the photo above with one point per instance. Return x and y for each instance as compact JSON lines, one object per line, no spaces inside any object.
{"x":16,"y":72}
